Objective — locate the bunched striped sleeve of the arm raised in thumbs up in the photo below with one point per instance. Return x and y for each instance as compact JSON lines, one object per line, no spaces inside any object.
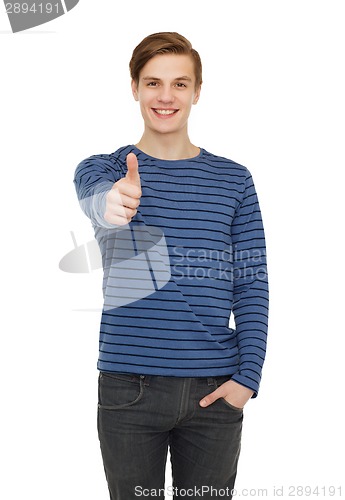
{"x":93,"y":178}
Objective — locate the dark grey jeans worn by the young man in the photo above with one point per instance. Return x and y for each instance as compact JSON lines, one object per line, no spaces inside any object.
{"x":140,"y":416}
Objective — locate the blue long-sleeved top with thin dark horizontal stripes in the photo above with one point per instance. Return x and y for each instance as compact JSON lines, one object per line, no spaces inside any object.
{"x":193,"y":254}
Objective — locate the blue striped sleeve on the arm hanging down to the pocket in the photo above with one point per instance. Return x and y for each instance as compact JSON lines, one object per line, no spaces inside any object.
{"x":250,"y":282}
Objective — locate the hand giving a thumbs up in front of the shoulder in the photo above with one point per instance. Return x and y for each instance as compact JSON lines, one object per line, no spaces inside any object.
{"x":123,"y":199}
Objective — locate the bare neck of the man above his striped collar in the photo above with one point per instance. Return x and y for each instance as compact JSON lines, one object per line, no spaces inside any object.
{"x":167,"y":146}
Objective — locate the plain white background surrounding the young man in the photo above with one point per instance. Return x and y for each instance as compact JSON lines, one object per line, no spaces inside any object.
{"x":273,"y":100}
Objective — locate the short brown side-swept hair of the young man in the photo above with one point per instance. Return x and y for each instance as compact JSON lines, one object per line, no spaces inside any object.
{"x":163,"y":43}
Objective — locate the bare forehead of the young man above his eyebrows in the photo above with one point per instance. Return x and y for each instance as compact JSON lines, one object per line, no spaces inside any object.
{"x":169,"y":66}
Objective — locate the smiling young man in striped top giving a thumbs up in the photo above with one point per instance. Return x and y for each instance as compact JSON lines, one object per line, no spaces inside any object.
{"x":182,"y":242}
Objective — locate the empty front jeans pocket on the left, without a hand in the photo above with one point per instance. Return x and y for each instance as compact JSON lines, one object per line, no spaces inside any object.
{"x":119,"y":390}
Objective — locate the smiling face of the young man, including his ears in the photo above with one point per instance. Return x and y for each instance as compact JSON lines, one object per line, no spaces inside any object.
{"x":166,"y":92}
